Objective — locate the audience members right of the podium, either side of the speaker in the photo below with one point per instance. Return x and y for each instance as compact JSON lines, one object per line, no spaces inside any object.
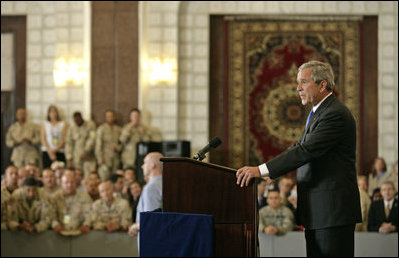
{"x":378,"y":197}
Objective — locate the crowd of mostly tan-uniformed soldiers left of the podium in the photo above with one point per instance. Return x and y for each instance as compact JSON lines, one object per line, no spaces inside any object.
{"x":72,"y":179}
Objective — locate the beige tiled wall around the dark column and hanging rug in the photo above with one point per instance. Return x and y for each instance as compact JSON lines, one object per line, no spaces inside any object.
{"x":180,"y":30}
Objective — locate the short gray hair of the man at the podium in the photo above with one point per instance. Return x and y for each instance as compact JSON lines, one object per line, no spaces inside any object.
{"x":320,"y":71}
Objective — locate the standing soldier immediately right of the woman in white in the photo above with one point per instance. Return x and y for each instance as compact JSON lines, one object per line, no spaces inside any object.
{"x":80,"y":142}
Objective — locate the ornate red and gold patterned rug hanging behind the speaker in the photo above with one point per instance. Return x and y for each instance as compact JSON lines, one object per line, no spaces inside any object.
{"x":265,"y":111}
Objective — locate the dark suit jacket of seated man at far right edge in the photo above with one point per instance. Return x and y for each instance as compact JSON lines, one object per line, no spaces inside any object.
{"x":377,"y":215}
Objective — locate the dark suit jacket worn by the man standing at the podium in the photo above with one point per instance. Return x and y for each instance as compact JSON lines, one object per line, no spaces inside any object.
{"x":325,"y":156}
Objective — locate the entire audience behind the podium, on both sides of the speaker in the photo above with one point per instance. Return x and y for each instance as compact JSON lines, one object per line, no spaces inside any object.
{"x":89,"y":181}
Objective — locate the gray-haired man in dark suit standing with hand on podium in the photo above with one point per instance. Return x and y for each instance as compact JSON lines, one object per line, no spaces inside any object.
{"x":325,"y":155}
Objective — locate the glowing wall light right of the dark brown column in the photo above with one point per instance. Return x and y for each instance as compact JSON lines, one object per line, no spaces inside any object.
{"x":161,"y":71}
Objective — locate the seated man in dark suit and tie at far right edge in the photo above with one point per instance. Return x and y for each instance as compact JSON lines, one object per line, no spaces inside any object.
{"x":383,"y":214}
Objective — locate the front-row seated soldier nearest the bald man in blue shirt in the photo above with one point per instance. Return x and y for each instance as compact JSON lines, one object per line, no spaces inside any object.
{"x":110,"y":213}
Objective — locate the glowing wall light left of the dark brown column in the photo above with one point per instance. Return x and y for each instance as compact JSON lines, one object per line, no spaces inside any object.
{"x":69,"y":72}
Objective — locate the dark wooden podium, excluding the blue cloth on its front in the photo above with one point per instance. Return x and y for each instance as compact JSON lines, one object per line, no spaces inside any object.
{"x":191,"y":186}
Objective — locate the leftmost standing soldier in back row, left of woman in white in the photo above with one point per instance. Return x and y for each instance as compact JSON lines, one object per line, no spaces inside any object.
{"x":23,"y":137}
